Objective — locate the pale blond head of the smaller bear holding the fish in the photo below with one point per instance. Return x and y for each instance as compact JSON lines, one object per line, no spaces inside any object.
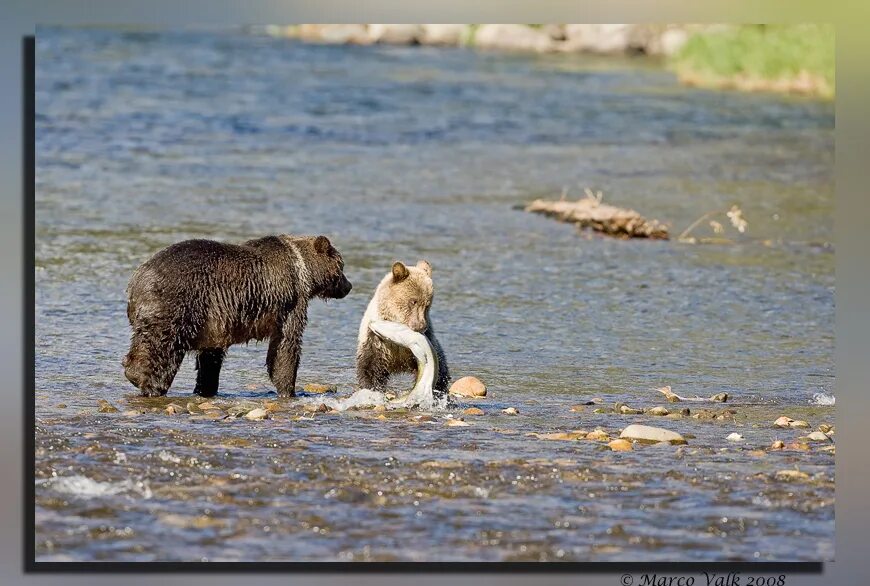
{"x":406,"y":295}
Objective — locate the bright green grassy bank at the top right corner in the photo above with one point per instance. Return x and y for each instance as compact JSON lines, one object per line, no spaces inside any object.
{"x":784,"y":58}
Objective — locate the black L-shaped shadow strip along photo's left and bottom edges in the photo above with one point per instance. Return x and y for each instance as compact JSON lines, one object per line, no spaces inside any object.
{"x":29,"y":352}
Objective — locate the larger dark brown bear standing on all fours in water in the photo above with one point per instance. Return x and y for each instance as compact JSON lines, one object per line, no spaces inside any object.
{"x":204,"y":296}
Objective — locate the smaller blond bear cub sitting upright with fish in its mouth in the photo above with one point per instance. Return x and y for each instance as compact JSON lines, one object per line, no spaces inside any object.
{"x":404,"y":295}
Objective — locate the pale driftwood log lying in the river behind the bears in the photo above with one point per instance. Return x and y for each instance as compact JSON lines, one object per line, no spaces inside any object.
{"x":590,"y":212}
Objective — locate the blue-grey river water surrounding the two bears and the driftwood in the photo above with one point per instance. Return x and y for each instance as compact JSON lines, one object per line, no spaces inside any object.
{"x":144,"y":139}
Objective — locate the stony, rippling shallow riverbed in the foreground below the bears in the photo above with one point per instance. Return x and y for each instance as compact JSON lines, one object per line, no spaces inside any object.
{"x":268,"y":479}
